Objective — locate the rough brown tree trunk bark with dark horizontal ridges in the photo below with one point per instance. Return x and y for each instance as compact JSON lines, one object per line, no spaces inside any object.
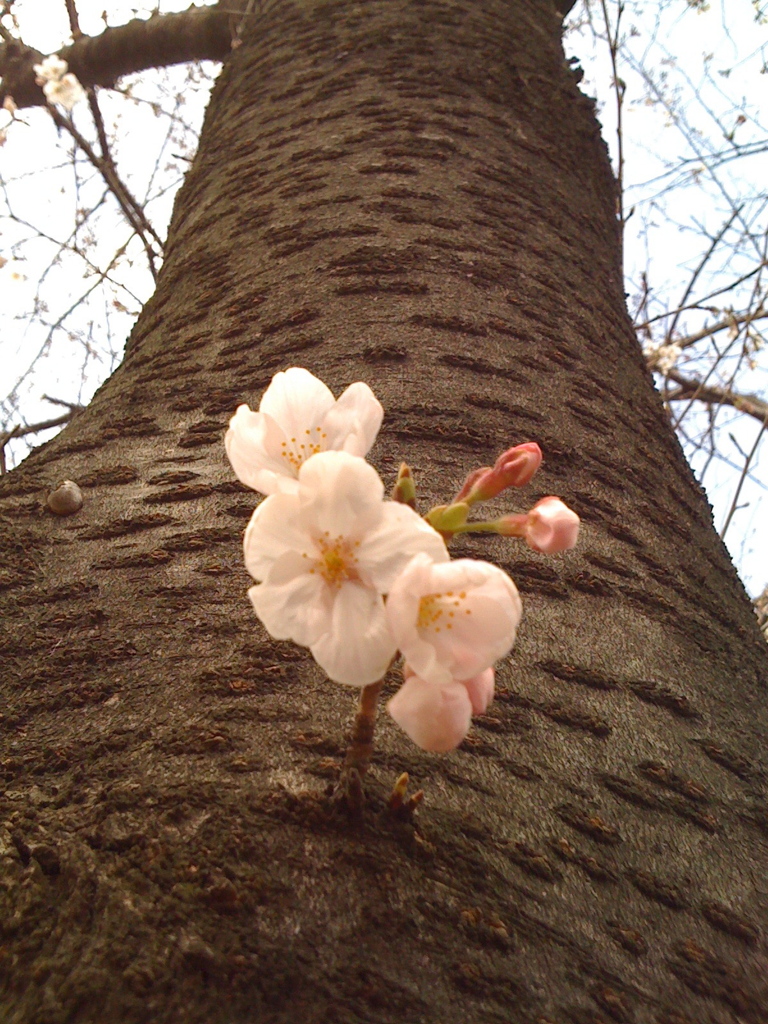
{"x":416,"y":195}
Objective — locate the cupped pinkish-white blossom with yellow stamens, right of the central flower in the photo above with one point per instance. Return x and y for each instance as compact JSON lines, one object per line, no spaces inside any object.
{"x":453,"y":620}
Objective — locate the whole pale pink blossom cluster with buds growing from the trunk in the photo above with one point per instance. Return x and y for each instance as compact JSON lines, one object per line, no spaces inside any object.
{"x":357,"y":578}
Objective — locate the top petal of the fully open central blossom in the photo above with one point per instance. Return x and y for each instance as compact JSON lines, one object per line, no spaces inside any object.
{"x":340,"y":495}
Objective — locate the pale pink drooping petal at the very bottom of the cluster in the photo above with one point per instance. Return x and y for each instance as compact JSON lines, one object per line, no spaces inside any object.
{"x":436,"y":717}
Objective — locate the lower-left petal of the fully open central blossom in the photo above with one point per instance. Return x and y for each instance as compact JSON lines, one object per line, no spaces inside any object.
{"x":292,"y":604}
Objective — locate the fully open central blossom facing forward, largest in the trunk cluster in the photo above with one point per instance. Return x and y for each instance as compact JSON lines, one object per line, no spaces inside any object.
{"x":326,"y":554}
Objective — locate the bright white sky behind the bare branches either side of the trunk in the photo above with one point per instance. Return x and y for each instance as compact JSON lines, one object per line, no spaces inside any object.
{"x":714,"y":62}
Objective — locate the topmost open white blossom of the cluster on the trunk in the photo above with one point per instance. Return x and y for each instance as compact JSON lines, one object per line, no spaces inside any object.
{"x":298,"y":417}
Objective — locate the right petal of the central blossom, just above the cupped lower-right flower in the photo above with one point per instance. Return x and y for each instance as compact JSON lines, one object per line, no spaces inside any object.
{"x":401,"y":534}
